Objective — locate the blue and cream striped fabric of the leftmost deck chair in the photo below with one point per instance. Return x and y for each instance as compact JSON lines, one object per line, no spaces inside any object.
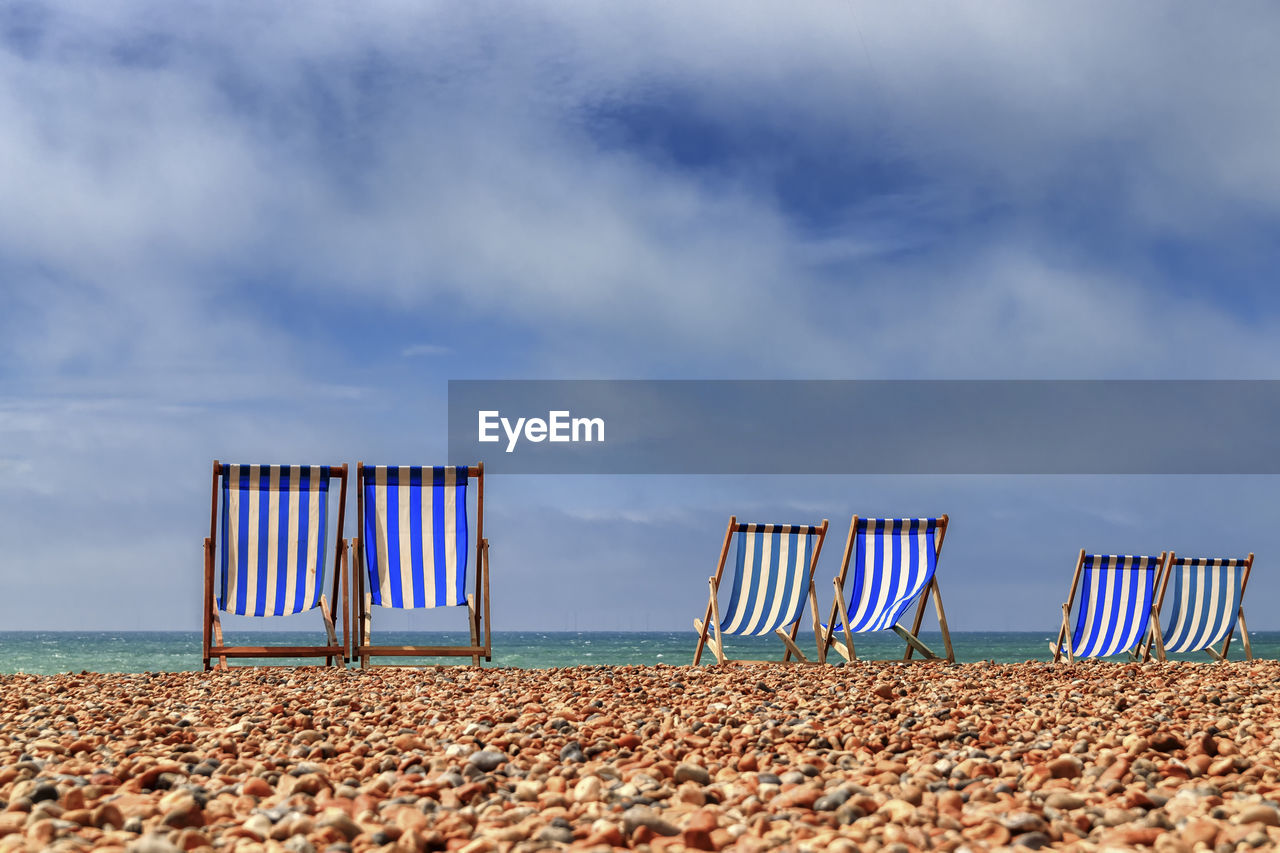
{"x":273,"y":539}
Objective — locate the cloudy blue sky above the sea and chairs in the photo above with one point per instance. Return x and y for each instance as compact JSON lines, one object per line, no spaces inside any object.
{"x":275,"y":232}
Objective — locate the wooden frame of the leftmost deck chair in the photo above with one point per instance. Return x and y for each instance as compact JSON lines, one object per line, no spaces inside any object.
{"x":212,"y":638}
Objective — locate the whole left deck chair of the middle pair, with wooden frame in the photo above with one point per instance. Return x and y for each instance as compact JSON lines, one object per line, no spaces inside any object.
{"x":772,"y":580}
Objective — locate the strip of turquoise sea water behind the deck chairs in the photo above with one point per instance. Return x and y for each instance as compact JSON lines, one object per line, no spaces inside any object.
{"x":48,"y":653}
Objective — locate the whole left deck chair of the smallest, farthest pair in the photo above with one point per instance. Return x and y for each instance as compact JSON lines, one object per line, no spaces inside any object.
{"x":1116,"y":612}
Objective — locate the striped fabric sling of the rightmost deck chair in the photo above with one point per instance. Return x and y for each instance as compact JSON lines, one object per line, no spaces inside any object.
{"x":1206,"y":599}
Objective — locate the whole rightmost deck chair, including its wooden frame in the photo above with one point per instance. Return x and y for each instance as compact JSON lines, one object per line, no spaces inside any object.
{"x":1206,"y":605}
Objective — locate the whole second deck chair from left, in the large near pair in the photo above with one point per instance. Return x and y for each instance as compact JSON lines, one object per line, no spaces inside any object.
{"x":413,"y":554}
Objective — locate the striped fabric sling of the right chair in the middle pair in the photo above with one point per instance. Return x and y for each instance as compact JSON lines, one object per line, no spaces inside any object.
{"x":893,"y":562}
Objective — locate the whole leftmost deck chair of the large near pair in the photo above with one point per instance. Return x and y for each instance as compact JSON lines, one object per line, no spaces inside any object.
{"x":269,"y":555}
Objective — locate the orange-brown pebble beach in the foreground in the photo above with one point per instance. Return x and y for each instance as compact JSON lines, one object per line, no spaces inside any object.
{"x":749,"y":758}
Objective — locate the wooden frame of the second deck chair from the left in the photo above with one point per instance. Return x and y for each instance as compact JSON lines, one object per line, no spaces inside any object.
{"x":478,"y":601}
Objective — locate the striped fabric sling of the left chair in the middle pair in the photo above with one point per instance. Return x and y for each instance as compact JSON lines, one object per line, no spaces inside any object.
{"x":771,"y":580}
